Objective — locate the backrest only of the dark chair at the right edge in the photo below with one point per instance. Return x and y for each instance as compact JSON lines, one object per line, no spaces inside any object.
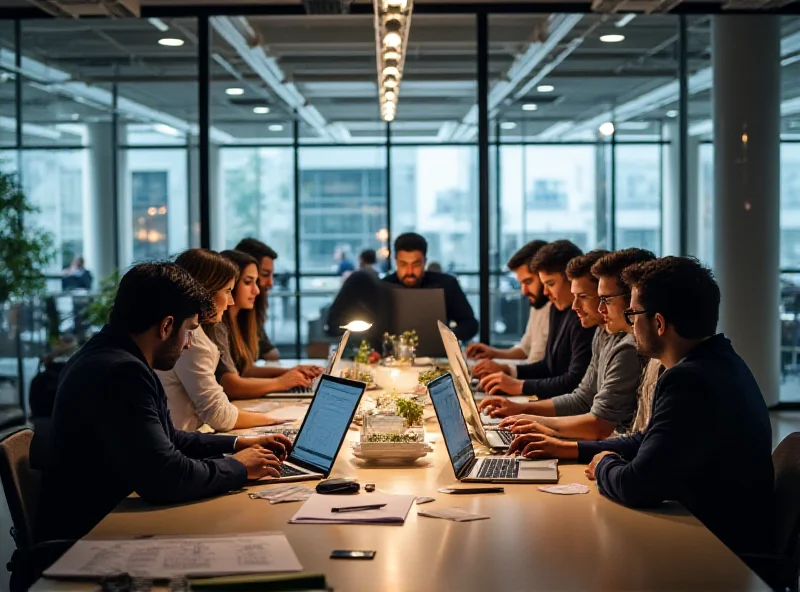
{"x":786,"y":460}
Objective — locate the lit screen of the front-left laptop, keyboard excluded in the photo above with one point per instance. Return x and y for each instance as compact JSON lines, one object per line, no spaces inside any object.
{"x":326,"y":423}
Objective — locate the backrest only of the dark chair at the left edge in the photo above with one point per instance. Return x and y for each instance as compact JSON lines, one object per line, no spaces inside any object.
{"x":20,"y":483}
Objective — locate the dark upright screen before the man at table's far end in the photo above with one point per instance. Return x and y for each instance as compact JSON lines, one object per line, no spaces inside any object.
{"x":421,"y":310}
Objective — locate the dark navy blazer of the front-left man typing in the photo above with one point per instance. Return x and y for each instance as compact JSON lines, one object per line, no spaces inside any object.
{"x":111,"y":435}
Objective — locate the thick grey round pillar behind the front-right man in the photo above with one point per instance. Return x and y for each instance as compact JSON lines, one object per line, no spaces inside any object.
{"x":746,"y":102}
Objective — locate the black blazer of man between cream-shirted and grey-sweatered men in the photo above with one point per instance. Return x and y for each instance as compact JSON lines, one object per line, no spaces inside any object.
{"x":566,"y":358}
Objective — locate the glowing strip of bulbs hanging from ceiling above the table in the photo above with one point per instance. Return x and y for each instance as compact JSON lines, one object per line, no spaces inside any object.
{"x":392,"y":23}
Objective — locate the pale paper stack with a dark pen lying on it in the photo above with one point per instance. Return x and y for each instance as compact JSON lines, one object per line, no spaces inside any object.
{"x":318,"y":509}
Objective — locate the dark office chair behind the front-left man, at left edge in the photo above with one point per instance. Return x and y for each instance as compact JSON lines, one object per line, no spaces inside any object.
{"x":21,"y":485}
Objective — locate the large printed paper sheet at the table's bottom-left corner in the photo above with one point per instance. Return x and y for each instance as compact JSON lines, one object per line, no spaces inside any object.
{"x":169,"y":557}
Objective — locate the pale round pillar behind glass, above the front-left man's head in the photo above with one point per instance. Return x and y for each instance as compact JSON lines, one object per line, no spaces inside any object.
{"x":100,"y":225}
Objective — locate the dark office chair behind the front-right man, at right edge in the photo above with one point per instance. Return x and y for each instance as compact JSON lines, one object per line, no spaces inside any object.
{"x":781,"y":569}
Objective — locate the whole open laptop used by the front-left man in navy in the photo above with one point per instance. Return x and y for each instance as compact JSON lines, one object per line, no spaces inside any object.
{"x":323,"y":431}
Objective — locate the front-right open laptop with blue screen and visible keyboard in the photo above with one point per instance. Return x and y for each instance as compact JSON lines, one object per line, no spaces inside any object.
{"x":466,"y":466}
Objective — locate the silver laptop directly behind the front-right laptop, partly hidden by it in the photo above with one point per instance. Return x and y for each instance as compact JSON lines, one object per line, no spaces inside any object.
{"x":485,"y":427}
